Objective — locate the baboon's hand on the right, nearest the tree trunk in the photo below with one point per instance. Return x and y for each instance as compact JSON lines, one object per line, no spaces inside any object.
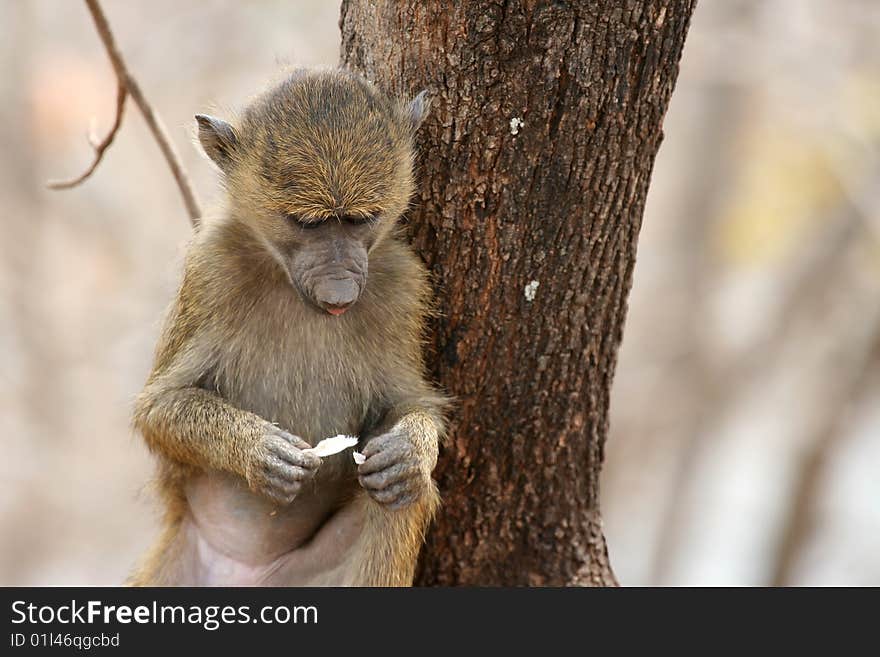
{"x":394,"y":474}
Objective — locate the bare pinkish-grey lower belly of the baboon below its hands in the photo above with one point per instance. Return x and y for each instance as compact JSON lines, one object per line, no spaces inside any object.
{"x":233,"y":537}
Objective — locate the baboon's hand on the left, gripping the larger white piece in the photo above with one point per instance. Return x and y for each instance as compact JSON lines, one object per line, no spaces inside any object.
{"x":278,"y":466}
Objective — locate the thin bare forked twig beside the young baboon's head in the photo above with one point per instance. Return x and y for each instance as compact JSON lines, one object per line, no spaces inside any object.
{"x":127,"y":85}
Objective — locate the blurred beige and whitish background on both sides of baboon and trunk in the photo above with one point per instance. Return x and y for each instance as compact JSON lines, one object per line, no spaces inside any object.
{"x":745,"y":429}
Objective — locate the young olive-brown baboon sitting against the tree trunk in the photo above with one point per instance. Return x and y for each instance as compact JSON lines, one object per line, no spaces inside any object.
{"x":300,"y":316}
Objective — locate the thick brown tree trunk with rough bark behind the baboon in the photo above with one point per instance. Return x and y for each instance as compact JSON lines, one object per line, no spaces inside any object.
{"x":530,"y":233}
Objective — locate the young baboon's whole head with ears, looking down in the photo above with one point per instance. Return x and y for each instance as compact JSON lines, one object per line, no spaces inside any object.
{"x":320,"y":168}
